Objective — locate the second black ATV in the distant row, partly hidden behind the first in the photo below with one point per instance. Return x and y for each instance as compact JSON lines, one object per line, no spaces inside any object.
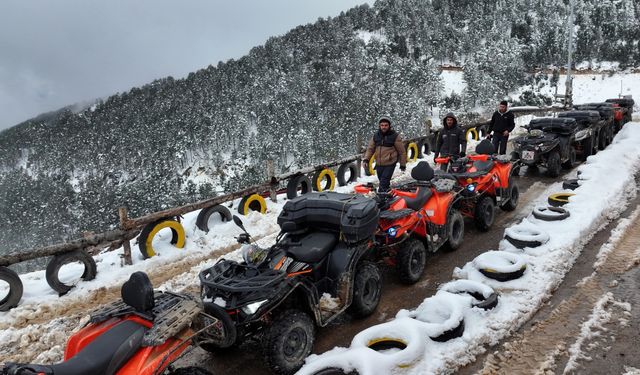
{"x":590,"y":126}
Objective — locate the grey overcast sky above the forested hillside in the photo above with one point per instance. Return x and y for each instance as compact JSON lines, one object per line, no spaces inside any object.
{"x":56,"y":53}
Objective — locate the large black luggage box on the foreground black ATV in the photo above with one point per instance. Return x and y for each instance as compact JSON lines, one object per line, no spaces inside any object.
{"x":354,"y":216}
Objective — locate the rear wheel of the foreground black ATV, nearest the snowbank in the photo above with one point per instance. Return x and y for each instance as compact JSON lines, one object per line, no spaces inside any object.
{"x":367,"y":288}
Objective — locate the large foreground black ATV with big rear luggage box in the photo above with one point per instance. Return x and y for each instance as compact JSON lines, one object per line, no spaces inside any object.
{"x":316,"y":270}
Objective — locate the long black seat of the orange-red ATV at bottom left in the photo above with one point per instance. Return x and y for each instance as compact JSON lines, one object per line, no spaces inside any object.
{"x":104,"y":355}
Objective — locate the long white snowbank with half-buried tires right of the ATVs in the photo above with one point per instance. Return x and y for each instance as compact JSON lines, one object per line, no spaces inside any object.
{"x":602,"y":196}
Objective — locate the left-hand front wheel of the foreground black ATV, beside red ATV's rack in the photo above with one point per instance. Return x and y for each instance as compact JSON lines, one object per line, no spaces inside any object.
{"x":214,"y":343}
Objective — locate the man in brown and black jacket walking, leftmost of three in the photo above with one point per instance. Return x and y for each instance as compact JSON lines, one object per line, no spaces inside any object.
{"x":388,"y":149}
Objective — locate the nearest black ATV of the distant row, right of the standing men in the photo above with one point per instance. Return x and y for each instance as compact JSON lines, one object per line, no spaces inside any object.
{"x":550,"y":142}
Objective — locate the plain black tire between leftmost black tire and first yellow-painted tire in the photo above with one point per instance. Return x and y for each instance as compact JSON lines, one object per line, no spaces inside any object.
{"x":58,"y":261}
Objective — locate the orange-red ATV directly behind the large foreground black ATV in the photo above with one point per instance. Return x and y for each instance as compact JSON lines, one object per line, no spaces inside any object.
{"x":415,"y":215}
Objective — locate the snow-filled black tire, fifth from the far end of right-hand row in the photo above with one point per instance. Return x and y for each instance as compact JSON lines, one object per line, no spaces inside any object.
{"x":500,"y":265}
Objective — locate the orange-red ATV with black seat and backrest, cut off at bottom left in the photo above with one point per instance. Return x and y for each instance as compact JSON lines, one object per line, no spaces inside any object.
{"x":140,"y":335}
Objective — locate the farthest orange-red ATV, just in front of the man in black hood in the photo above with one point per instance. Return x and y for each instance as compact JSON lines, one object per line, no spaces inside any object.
{"x":485,"y":180}
